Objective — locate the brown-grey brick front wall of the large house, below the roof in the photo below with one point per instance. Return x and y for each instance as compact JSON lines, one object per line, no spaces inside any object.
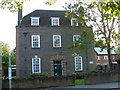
{"x":47,"y":52}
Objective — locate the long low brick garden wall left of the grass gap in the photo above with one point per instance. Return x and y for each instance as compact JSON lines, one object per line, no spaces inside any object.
{"x":41,"y":82}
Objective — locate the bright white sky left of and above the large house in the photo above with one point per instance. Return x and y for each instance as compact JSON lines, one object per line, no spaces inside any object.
{"x":8,"y":20}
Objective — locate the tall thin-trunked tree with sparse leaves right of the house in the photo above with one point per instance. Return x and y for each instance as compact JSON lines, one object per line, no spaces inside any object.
{"x":101,"y":17}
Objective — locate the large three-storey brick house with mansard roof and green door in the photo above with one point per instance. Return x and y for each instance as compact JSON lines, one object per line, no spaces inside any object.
{"x":42,"y":41}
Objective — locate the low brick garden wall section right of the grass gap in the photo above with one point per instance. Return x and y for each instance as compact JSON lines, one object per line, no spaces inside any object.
{"x":104,"y":77}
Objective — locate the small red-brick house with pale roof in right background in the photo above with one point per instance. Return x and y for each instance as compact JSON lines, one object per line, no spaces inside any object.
{"x":101,"y":58}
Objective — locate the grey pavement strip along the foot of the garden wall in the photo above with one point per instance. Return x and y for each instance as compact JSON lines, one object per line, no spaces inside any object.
{"x":103,"y":86}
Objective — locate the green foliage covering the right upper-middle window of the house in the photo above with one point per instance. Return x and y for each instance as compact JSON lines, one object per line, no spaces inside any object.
{"x":86,"y":40}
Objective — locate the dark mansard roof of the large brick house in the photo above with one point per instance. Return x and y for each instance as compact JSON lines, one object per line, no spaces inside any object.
{"x":45,"y":16}
